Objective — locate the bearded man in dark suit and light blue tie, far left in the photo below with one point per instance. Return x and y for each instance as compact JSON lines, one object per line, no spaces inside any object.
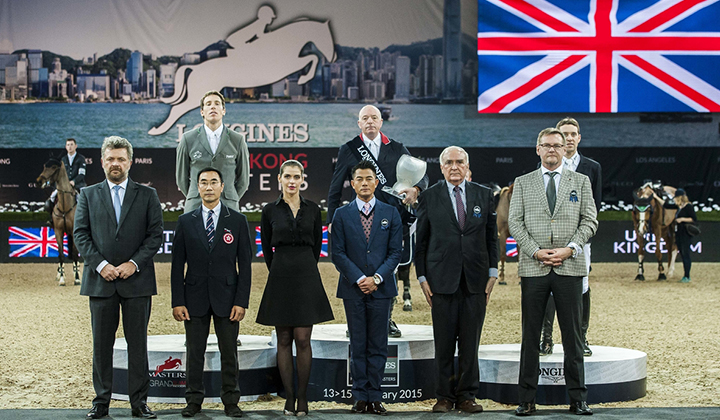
{"x":118,"y":230}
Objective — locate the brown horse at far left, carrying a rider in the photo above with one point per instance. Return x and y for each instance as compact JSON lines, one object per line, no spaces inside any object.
{"x":63,"y":215}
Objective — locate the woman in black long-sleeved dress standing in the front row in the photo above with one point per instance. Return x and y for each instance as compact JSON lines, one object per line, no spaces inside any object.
{"x":294,"y":298}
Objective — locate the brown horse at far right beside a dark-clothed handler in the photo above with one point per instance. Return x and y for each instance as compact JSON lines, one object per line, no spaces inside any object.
{"x":650,"y":217}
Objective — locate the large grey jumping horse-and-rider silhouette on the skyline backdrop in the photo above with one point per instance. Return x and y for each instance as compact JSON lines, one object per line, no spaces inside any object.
{"x":257,"y":58}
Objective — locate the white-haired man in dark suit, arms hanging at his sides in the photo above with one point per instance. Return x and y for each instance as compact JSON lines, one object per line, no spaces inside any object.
{"x":456,"y":264}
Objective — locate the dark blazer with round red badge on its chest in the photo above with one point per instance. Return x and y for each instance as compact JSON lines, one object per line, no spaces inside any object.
{"x":217,"y":277}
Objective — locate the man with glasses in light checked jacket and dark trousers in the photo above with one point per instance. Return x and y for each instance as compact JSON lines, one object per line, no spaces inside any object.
{"x":552,"y":215}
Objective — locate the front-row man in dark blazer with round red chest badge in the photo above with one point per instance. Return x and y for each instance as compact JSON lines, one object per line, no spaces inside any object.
{"x":213,"y":241}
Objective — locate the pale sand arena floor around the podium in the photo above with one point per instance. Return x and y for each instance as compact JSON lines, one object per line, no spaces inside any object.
{"x":45,"y":338}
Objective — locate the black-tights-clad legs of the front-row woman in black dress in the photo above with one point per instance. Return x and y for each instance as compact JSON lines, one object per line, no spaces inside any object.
{"x":301,"y":336}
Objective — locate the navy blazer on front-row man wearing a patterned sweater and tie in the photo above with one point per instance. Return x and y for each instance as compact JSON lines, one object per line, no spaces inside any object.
{"x":354,"y":257}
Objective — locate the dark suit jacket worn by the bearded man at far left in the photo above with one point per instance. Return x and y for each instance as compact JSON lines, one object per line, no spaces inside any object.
{"x":138,"y":237}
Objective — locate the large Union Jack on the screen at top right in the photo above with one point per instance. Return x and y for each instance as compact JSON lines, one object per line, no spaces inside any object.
{"x":598,"y":56}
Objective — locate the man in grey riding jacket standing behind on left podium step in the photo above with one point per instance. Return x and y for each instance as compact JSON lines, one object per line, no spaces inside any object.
{"x":212,"y":145}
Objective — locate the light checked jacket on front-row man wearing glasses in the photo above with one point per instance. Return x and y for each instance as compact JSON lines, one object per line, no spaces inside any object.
{"x":533,"y":226}
